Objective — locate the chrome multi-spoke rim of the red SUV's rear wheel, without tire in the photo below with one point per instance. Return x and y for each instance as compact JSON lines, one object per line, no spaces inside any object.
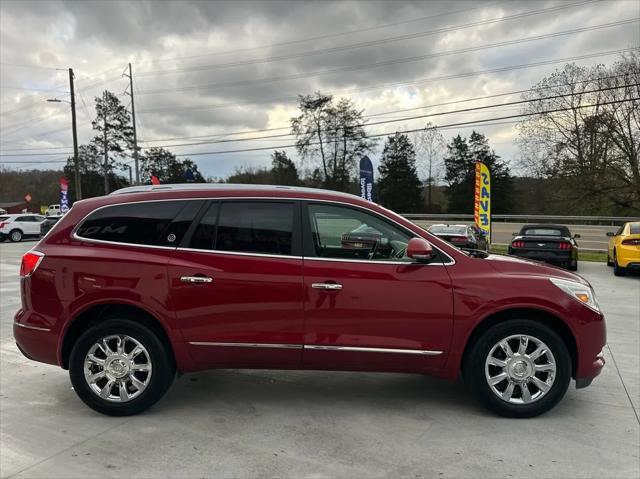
{"x":117,"y":368}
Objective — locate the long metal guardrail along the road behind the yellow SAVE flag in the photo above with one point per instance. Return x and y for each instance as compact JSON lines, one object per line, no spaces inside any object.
{"x":576,"y":220}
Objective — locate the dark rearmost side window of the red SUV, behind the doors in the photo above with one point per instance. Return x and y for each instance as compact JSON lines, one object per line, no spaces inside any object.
{"x":136,"y":223}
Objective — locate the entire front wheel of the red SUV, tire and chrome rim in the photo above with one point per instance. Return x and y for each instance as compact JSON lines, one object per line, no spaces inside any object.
{"x":518,"y":368}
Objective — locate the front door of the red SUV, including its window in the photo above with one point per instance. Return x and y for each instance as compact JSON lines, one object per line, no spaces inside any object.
{"x":368,"y":306}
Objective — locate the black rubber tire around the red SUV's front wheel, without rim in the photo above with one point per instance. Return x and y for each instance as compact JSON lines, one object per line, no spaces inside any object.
{"x":474,"y":368}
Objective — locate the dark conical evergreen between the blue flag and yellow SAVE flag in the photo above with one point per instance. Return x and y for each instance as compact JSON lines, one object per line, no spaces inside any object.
{"x":399,"y":187}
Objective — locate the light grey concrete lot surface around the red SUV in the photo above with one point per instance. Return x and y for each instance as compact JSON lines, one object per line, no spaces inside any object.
{"x":320,"y":425}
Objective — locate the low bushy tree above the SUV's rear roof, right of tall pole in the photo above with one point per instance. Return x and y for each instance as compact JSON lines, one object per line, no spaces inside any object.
{"x":163,"y":164}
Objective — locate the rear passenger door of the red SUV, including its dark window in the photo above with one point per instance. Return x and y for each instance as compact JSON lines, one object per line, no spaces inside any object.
{"x":236,"y":285}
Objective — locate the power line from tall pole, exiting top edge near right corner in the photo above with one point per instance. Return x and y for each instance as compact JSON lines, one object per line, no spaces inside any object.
{"x":366,"y":44}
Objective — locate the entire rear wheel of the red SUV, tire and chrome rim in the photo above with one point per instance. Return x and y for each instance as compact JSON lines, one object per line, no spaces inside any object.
{"x":120,"y":367}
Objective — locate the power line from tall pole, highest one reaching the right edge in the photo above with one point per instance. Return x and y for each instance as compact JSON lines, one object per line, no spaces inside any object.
{"x":396,"y":61}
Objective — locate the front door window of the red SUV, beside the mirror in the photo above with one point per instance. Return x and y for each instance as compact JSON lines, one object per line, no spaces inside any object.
{"x":347,"y":233}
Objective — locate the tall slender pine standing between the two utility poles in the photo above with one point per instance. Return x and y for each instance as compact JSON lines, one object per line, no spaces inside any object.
{"x":114,"y":133}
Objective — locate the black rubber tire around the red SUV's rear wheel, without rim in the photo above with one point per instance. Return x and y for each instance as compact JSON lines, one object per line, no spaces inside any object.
{"x":161,"y":359}
